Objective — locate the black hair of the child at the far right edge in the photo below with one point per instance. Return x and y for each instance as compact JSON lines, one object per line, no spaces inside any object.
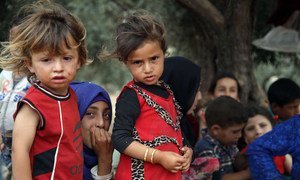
{"x":283,"y":91}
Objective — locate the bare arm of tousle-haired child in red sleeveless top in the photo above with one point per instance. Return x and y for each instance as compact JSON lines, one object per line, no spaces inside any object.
{"x":23,"y":135}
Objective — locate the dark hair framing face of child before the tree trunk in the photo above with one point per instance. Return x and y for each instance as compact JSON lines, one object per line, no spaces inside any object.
{"x":222,"y":75}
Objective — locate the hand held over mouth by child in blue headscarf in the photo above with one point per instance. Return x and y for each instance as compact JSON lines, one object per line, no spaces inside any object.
{"x":101,"y":143}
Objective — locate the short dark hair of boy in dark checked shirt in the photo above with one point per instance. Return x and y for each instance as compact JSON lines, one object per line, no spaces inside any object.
{"x":225,"y":112}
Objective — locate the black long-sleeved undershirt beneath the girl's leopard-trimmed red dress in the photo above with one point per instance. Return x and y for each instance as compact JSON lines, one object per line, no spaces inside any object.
{"x":129,"y":107}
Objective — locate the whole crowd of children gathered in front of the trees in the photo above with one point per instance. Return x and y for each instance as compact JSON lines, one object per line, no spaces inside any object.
{"x":56,"y":128}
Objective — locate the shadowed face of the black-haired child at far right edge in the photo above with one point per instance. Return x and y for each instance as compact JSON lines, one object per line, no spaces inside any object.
{"x":288,"y":110}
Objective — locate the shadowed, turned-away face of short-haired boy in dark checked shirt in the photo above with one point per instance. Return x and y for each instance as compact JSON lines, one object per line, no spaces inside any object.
{"x":230,"y":135}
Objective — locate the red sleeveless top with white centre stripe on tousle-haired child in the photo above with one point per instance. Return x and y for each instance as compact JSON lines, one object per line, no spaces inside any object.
{"x":69,"y":161}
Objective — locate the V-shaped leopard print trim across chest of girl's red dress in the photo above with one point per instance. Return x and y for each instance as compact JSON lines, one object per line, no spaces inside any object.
{"x":161,"y":111}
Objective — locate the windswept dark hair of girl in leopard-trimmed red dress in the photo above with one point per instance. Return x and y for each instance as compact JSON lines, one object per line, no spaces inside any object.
{"x":135,"y":29}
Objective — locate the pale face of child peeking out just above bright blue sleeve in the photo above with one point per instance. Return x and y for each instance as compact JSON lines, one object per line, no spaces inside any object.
{"x":255,"y":127}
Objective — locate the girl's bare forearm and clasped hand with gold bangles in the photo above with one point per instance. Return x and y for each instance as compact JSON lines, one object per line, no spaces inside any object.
{"x":169,"y":160}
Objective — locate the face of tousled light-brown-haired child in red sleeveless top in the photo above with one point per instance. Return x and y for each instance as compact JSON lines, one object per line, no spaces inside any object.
{"x":55,"y":72}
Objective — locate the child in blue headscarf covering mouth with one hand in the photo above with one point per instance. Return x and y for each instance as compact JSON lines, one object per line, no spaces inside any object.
{"x":95,"y":113}
